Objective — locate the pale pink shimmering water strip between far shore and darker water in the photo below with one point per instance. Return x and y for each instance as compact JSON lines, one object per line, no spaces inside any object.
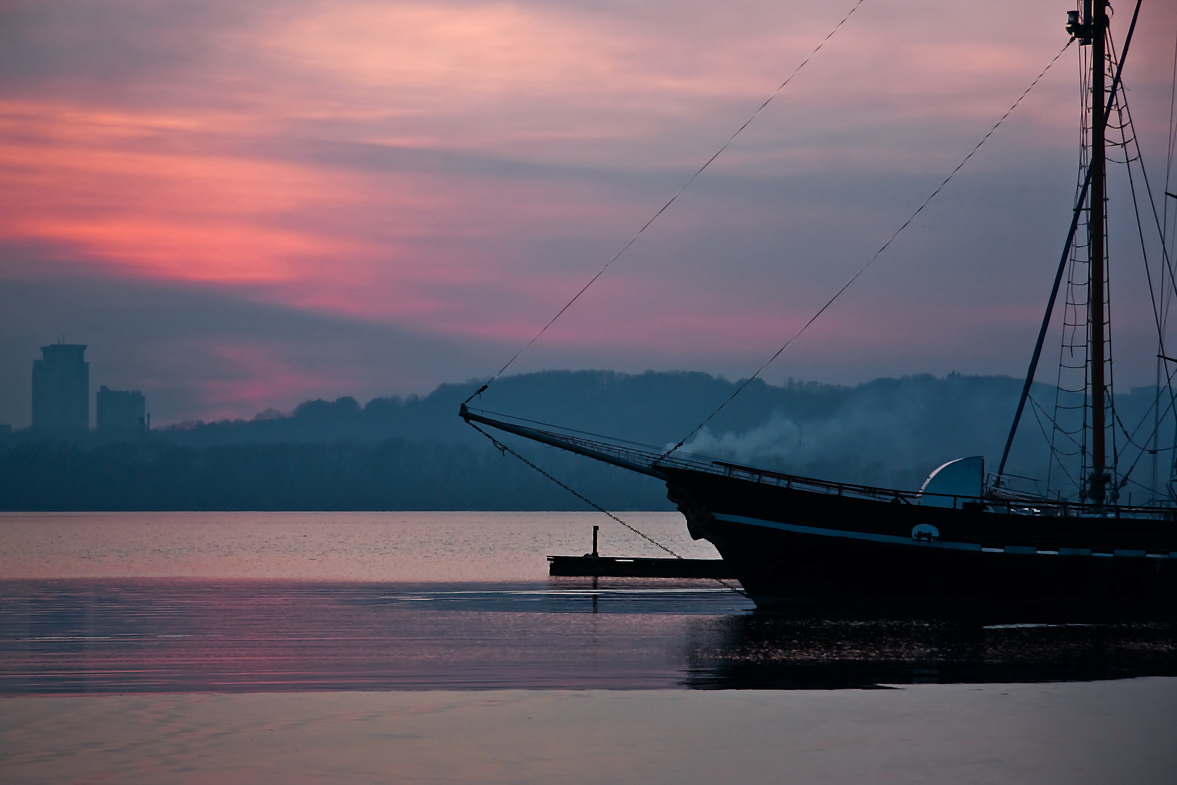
{"x":351,"y":547}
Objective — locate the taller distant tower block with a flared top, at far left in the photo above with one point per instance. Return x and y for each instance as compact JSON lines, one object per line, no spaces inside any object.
{"x":62,"y":391}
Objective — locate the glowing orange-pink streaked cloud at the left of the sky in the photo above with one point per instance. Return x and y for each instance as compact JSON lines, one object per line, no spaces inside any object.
{"x":125,"y":195}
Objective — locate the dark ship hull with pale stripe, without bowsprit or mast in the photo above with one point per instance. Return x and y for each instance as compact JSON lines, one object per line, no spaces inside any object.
{"x":848,"y":548}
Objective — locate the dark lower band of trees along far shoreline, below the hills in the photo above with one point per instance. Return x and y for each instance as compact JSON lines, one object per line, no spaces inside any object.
{"x":389,"y":475}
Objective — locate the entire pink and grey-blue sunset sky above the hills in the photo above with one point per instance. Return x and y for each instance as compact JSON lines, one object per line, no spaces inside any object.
{"x":244,"y":207}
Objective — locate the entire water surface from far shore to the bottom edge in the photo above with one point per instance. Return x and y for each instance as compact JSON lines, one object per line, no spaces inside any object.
{"x":358,"y":648}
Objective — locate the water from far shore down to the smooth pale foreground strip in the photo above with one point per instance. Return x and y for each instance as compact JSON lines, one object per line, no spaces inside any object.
{"x":251,"y":603}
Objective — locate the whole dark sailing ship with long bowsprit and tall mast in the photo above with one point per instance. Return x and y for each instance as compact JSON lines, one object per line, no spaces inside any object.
{"x":965,"y":541}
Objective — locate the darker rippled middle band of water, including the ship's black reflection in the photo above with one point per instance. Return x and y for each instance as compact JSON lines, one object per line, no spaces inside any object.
{"x":196,"y":636}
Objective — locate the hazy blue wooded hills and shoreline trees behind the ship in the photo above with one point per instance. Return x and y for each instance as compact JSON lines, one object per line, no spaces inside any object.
{"x":416,"y":454}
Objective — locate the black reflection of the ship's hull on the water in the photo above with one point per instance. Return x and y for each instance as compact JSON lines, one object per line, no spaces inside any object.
{"x":769,"y":653}
